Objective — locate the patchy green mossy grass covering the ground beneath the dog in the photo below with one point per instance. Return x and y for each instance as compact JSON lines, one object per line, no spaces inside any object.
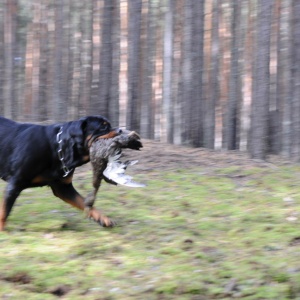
{"x":232,"y":233}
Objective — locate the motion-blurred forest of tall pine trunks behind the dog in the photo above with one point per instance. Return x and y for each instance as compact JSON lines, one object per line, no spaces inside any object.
{"x":220,"y":74}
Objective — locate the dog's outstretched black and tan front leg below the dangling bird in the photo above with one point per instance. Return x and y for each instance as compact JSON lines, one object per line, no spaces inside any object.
{"x":66,"y":192}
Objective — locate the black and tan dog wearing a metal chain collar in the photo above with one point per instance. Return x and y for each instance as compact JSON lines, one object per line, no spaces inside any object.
{"x":35,"y":155}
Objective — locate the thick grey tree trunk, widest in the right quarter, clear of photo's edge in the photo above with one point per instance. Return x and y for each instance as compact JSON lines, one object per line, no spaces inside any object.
{"x":261,"y":82}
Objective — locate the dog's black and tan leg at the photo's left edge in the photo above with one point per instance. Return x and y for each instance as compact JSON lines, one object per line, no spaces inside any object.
{"x":11,"y":193}
